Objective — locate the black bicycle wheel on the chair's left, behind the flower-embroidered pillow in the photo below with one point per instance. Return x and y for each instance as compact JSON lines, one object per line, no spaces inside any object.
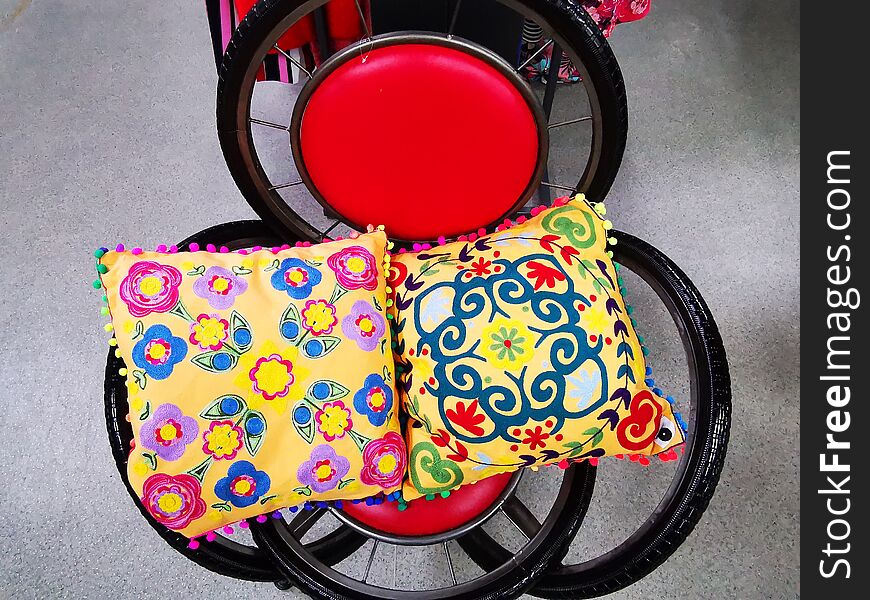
{"x":223,"y":555}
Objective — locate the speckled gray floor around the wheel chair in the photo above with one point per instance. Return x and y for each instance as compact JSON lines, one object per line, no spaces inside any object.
{"x":107,"y":134}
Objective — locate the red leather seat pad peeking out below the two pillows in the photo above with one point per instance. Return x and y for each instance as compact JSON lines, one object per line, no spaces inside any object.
{"x":428,"y":517}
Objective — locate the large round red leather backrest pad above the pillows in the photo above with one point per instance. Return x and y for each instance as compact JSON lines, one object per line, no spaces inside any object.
{"x":424,"y":139}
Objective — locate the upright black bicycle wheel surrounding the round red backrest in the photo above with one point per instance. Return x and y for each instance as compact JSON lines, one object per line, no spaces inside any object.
{"x":566,"y":25}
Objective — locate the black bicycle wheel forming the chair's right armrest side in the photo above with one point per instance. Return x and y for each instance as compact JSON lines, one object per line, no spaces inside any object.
{"x":698,"y":472}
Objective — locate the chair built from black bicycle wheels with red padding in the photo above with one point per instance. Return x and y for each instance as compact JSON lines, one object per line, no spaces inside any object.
{"x":382,"y":131}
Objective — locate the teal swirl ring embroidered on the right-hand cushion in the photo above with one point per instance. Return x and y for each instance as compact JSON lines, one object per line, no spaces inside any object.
{"x":536,"y":392}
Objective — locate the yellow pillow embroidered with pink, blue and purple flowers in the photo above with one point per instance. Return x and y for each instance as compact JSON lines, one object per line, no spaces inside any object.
{"x":260,"y":379}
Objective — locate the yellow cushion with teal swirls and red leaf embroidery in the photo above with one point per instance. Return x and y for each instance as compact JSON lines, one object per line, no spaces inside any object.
{"x":515,"y":350}
